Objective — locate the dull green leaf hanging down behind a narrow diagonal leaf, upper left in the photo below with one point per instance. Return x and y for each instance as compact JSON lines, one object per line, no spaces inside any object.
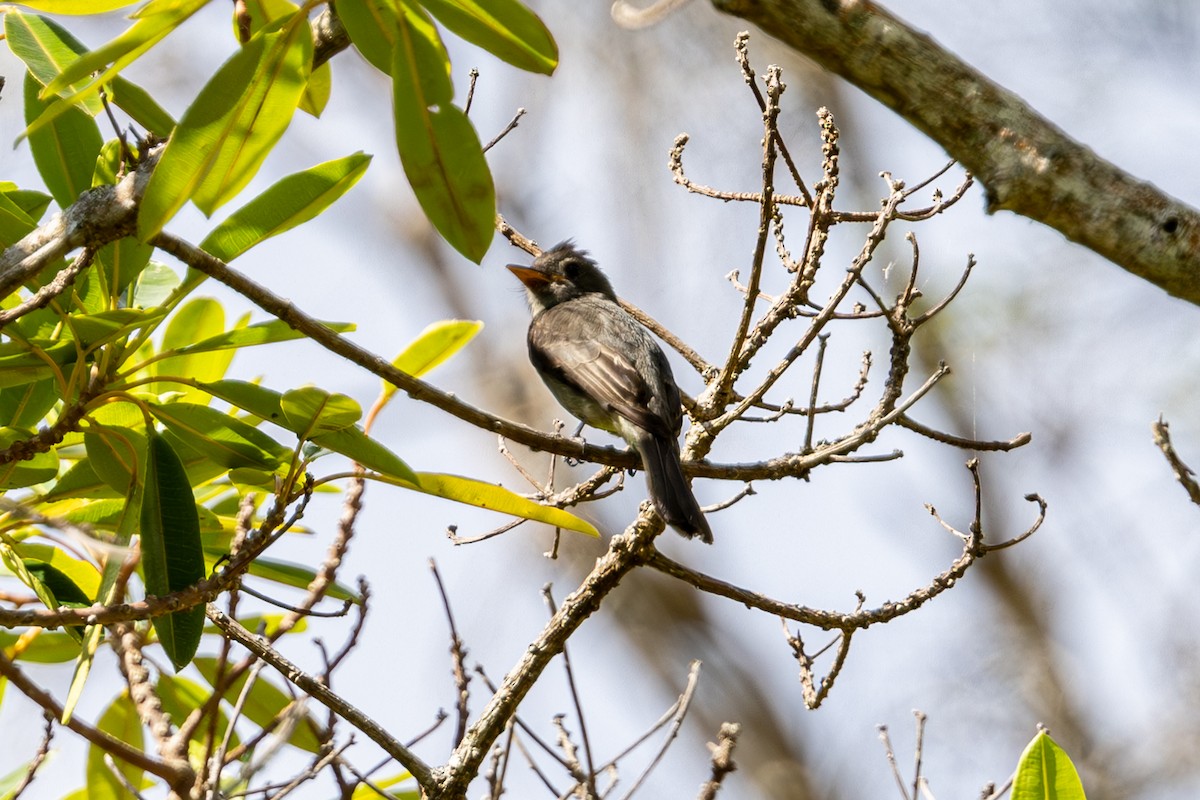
{"x":65,"y":151}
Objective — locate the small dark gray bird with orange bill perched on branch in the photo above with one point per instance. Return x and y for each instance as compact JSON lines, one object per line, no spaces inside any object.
{"x":607,"y":370}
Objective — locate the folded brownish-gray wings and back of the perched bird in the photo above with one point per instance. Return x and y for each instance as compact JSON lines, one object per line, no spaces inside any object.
{"x":590,"y":358}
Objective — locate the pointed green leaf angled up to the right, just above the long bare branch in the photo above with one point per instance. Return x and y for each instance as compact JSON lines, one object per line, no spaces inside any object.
{"x":285,"y":206}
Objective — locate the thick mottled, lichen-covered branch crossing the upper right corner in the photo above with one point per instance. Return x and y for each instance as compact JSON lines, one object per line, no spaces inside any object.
{"x":1027,"y":164}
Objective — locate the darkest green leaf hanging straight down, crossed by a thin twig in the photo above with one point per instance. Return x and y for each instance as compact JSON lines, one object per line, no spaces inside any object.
{"x":172,"y":557}
